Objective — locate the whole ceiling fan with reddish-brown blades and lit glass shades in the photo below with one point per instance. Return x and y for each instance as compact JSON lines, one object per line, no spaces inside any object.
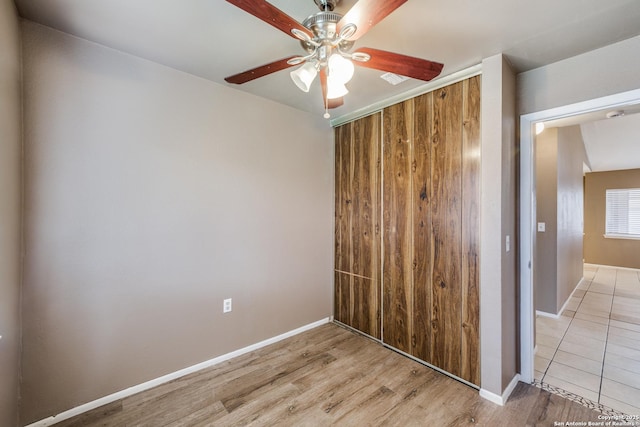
{"x":328,"y":37}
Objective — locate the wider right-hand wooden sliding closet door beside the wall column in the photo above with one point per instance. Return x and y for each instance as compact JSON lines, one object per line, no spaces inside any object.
{"x":430,"y":228}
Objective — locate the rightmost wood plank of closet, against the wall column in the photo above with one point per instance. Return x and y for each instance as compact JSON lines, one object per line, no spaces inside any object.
{"x":470,"y":369}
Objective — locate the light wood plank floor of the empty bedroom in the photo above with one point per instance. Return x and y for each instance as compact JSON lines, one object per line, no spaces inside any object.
{"x":328,"y":376}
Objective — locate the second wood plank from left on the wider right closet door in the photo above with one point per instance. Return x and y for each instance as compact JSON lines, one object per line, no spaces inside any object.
{"x":421,"y":217}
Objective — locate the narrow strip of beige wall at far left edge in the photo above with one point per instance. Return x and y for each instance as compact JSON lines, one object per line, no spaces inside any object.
{"x":10,"y":207}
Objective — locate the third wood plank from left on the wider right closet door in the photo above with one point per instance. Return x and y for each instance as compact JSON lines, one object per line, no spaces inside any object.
{"x":446,"y":228}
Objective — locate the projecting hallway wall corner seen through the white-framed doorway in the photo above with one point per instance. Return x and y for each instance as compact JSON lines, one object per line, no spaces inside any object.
{"x":560,"y":156}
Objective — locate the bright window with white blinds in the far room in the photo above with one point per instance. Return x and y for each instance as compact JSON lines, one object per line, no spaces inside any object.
{"x":623,"y":213}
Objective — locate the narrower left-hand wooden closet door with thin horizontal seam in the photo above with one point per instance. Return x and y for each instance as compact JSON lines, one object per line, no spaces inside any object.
{"x":357,"y":251}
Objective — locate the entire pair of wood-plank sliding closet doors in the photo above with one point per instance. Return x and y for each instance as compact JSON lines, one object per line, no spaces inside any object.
{"x":409,"y":209}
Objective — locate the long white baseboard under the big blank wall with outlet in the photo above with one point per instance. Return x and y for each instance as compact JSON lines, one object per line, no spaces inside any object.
{"x":170,"y":377}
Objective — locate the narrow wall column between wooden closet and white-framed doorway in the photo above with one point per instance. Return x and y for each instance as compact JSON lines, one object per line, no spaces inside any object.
{"x":498,"y":288}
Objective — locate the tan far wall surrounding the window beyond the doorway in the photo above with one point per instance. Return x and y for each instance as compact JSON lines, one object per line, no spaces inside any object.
{"x":598,"y":249}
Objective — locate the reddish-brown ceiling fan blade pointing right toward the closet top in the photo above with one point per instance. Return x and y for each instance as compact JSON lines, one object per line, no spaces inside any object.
{"x":403,"y":65}
